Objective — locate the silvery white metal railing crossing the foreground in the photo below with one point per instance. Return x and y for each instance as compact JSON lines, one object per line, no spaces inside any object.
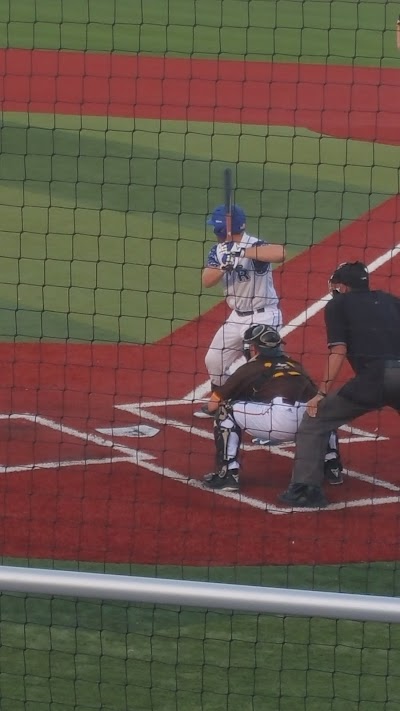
{"x":246,"y":598}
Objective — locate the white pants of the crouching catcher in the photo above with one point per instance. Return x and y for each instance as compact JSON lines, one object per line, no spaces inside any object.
{"x":276,"y":421}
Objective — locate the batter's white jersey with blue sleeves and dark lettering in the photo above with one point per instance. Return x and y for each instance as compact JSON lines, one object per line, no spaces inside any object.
{"x":250,"y":286}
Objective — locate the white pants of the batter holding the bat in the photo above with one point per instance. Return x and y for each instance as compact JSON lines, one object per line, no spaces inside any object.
{"x":227,"y":345}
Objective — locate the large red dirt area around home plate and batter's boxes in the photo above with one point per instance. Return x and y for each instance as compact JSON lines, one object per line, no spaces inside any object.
{"x":69,"y":492}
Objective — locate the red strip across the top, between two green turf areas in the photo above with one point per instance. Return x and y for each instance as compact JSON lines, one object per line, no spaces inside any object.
{"x":339,"y":100}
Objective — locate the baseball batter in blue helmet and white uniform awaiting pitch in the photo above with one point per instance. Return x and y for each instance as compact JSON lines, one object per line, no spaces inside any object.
{"x":243,"y":265}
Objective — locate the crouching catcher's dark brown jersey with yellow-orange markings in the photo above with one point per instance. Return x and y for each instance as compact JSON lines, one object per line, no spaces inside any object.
{"x":262,"y":379}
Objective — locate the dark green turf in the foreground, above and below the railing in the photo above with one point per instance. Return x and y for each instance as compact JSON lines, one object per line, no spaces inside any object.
{"x":65,"y":654}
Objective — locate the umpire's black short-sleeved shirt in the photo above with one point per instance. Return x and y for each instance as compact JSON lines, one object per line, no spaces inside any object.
{"x":368,"y":324}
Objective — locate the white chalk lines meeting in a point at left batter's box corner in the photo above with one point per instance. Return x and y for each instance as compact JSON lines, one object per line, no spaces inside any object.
{"x":132,"y":455}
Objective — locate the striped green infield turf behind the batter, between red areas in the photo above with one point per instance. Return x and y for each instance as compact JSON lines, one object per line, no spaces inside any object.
{"x":103,"y":220}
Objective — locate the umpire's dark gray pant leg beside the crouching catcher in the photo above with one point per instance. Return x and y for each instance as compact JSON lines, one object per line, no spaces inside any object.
{"x":313,"y":435}
